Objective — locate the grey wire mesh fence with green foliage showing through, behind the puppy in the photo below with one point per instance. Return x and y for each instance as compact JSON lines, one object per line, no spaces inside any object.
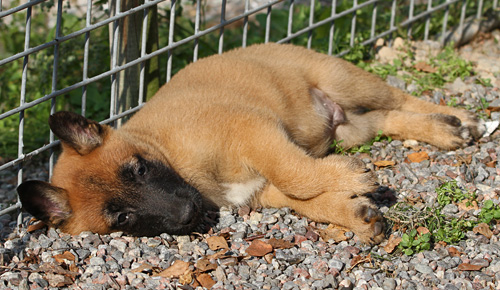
{"x":76,"y":55}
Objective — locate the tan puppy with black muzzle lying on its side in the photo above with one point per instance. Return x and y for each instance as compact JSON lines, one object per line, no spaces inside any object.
{"x":252,"y":127}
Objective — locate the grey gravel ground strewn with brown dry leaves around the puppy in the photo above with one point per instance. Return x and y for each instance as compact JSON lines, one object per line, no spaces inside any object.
{"x":277,"y":249}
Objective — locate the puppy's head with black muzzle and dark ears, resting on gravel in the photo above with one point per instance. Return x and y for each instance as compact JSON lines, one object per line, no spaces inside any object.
{"x":106,"y":180}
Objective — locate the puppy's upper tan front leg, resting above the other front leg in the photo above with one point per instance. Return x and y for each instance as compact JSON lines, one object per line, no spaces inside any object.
{"x":299,"y":176}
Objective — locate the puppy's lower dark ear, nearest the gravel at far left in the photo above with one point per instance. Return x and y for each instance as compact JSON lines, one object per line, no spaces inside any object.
{"x":45,"y":202}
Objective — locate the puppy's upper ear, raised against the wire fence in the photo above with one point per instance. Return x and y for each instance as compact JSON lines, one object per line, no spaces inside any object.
{"x":78,"y":132}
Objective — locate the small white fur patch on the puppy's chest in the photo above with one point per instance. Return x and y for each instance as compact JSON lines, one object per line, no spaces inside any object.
{"x":240,"y":193}
